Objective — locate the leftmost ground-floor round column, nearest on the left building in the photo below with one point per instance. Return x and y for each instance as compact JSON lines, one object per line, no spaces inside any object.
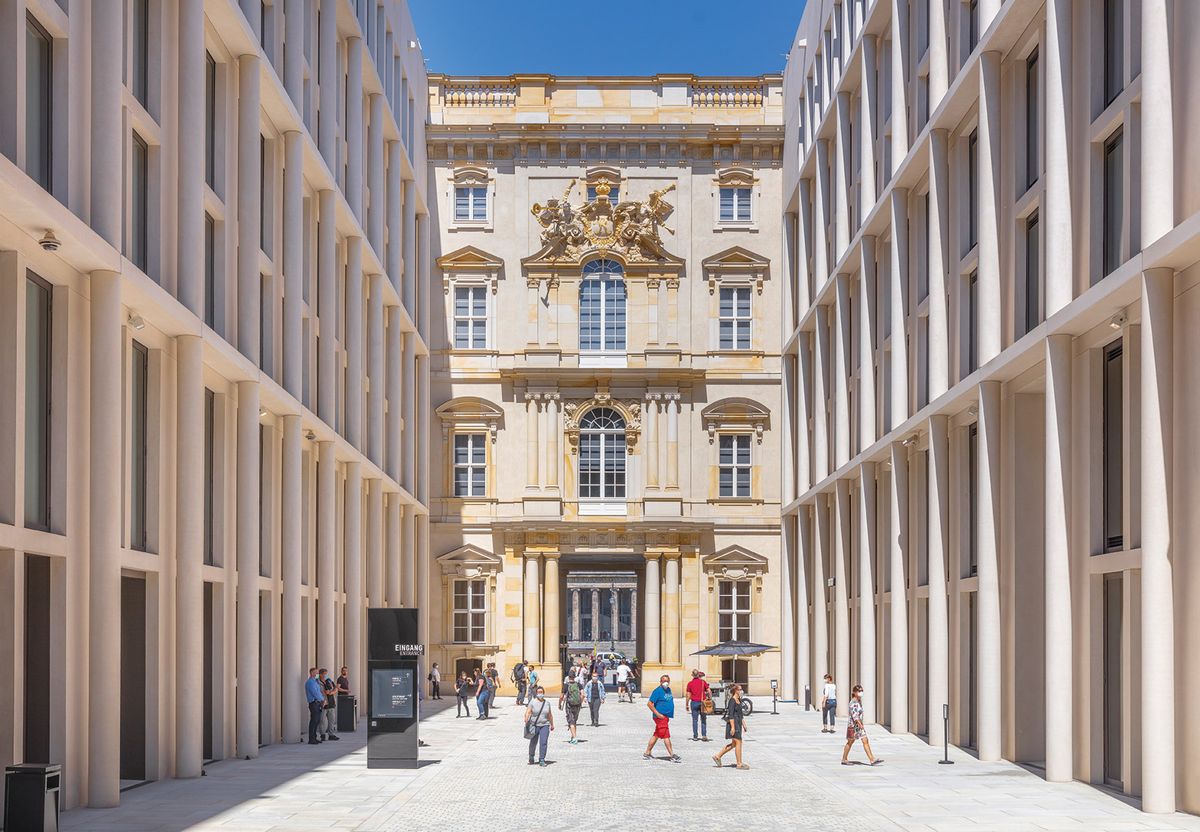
{"x":105,"y":537}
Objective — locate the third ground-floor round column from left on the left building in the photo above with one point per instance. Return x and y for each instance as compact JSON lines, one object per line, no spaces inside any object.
{"x":249,"y":568}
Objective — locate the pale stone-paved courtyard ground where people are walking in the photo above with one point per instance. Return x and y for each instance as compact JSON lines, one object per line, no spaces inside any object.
{"x":477,"y":776}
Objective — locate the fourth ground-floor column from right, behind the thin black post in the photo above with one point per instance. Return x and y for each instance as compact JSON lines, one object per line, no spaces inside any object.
{"x":938,"y":662}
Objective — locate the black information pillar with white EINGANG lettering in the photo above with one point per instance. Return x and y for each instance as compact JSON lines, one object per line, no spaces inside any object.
{"x":393,"y":653}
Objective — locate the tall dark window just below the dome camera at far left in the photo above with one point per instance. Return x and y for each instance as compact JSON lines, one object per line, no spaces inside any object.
{"x":38,"y":403}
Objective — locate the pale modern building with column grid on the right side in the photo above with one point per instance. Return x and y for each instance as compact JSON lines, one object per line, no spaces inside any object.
{"x":991,"y":406}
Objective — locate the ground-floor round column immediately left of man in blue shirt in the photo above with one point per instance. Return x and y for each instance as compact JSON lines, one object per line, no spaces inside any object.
{"x":291,"y":534}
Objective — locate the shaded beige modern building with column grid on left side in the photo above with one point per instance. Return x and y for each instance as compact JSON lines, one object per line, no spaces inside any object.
{"x":214,"y":252}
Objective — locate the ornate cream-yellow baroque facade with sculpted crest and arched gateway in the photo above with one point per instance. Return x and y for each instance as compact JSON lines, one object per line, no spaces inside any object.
{"x":605,"y":369}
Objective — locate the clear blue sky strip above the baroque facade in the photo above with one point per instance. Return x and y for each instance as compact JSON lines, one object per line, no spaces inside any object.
{"x":475,"y":38}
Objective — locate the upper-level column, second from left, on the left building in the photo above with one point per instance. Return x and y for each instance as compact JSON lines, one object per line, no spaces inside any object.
{"x":190,"y":160}
